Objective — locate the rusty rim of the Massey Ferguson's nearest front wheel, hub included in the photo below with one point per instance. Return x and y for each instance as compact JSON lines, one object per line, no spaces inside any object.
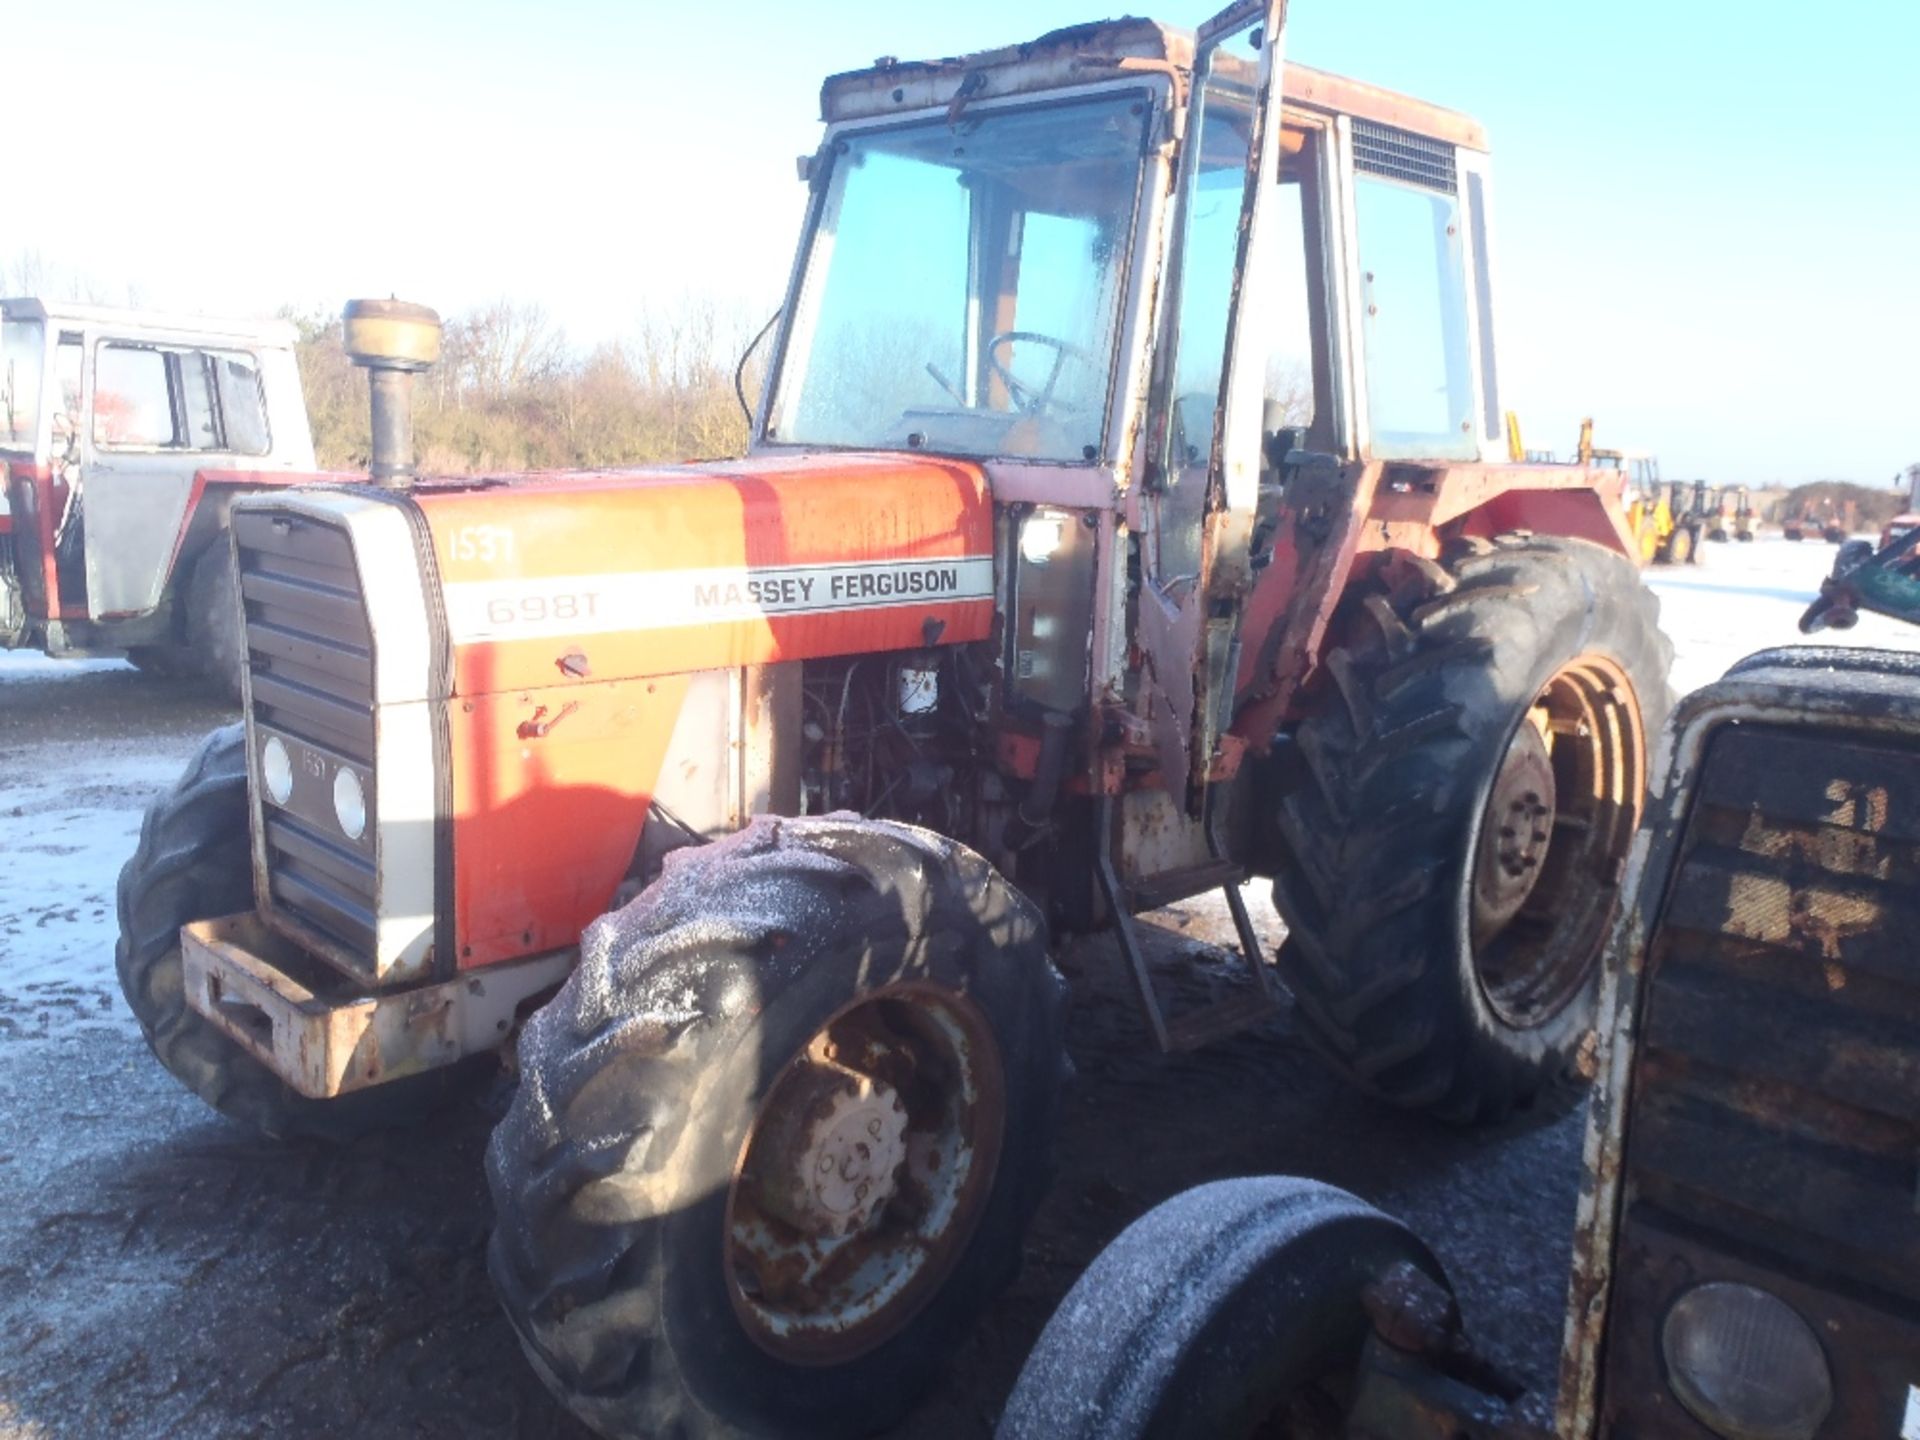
{"x":865,"y":1172}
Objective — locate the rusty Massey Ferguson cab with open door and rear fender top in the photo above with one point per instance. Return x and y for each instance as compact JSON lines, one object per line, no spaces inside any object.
{"x":1141,"y":277}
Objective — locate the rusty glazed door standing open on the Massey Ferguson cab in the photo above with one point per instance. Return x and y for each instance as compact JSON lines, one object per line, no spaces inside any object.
{"x":1209,"y":393}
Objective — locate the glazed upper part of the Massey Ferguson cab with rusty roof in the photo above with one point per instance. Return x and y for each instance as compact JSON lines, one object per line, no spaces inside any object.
{"x":1063,"y":252}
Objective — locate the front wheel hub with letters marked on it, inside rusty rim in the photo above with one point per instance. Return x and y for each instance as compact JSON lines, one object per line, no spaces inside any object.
{"x":836,"y":1157}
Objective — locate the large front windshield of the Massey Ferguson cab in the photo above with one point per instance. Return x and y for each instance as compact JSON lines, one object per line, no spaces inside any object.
{"x":963,"y":285}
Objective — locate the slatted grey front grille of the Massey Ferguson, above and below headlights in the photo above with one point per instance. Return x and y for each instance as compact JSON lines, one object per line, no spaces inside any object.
{"x":310,"y":656}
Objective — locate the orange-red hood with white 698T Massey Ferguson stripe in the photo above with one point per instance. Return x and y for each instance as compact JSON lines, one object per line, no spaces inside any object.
{"x":612,"y":575}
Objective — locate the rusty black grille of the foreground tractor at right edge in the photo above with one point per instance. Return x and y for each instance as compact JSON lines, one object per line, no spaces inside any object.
{"x":1775,"y":1122}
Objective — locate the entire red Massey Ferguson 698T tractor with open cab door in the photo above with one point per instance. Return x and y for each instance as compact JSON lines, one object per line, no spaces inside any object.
{"x":1122,"y":519}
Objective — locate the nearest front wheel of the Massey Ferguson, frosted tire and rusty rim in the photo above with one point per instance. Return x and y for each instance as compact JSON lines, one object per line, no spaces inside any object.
{"x":811,"y":997}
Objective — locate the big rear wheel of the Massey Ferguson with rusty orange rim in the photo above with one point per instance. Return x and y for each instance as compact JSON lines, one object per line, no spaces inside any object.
{"x":1445,"y":936}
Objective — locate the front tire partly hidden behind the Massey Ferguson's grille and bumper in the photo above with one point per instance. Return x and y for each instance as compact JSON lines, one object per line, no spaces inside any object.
{"x":195,"y":863}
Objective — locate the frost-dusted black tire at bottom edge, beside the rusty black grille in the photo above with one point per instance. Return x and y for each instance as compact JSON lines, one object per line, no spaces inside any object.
{"x":1224,"y":1312}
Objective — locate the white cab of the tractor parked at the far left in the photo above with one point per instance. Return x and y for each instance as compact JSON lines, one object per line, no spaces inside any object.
{"x":124,"y":441}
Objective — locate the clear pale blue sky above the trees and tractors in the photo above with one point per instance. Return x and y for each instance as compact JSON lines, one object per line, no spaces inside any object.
{"x":1708,"y":214}
